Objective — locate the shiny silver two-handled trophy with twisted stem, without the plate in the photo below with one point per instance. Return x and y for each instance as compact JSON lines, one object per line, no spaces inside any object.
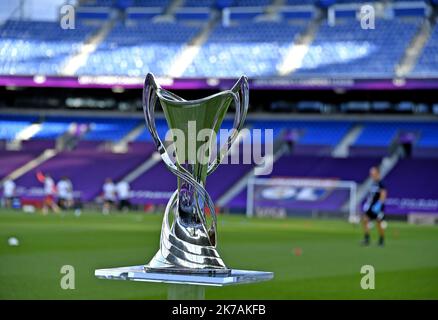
{"x":188,"y":243}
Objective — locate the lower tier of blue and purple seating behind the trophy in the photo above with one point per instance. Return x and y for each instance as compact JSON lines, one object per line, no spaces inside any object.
{"x":313,"y":142}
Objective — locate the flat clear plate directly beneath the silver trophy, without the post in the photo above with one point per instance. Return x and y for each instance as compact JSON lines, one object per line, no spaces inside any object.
{"x":139,"y":273}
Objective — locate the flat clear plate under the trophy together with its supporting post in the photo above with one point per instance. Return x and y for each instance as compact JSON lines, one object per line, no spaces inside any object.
{"x":184,"y":285}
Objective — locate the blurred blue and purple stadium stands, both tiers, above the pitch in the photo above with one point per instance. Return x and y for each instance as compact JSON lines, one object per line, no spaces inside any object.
{"x":344,"y":85}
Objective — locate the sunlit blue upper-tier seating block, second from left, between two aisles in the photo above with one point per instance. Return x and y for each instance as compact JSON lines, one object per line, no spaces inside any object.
{"x":136,"y":49}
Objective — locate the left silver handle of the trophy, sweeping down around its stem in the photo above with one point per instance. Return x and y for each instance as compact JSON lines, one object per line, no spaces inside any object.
{"x":150,"y":98}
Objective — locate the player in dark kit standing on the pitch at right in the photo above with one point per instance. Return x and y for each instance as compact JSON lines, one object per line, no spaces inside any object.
{"x":374,"y":207}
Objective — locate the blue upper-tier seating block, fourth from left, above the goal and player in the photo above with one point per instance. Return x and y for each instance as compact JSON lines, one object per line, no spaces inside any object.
{"x":347,"y":50}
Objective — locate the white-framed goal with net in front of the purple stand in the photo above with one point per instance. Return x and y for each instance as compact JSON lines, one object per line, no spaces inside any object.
{"x":280,"y":197}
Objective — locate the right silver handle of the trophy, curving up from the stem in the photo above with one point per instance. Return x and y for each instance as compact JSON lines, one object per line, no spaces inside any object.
{"x":240,"y":94}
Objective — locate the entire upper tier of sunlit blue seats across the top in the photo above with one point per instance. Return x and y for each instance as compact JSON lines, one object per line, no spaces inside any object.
{"x":257,"y":48}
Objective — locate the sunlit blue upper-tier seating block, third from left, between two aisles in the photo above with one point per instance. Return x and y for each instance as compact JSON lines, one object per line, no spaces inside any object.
{"x":246,"y":48}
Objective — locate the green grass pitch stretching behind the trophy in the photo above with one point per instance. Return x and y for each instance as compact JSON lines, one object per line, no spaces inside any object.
{"x":311,"y":259}
